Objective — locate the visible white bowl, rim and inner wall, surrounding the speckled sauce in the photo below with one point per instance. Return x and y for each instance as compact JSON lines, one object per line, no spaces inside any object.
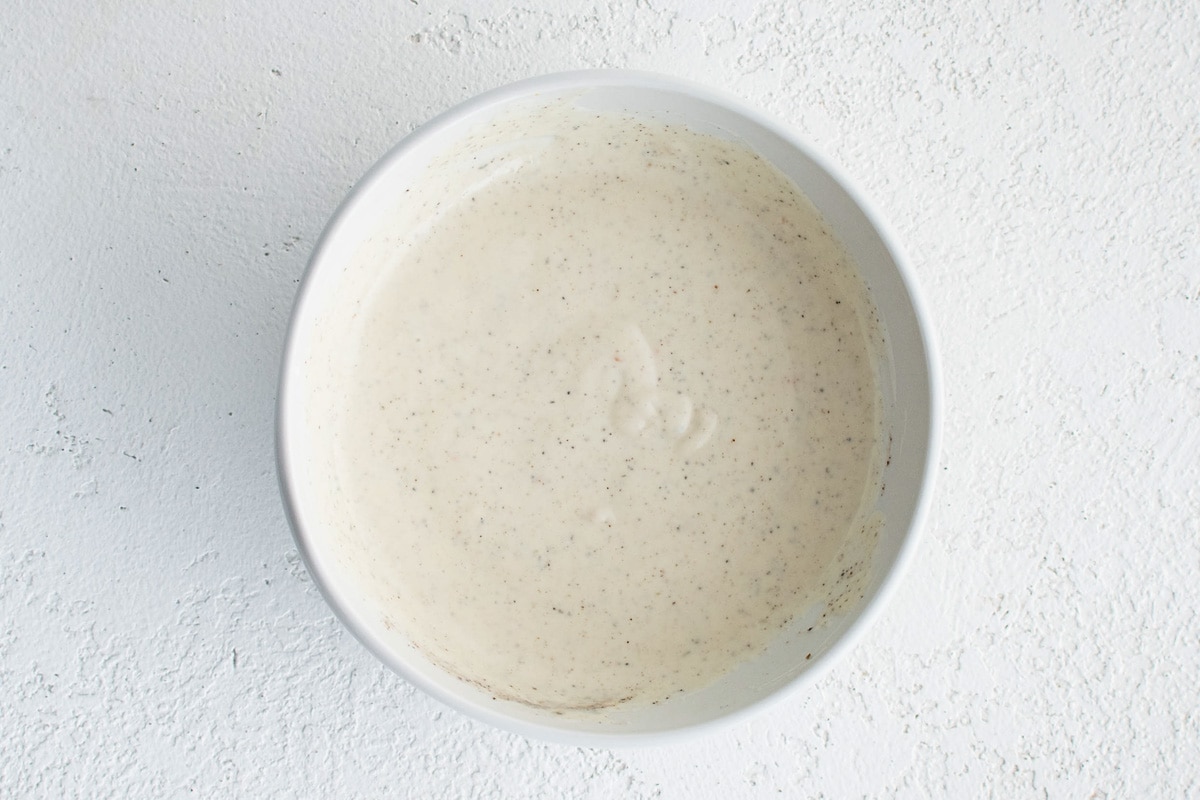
{"x":909,"y":383}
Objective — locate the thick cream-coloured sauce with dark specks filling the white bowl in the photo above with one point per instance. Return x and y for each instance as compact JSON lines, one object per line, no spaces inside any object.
{"x":605,"y":411}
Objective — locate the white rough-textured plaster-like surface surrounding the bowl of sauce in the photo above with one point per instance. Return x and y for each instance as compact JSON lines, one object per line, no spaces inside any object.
{"x":165,"y":170}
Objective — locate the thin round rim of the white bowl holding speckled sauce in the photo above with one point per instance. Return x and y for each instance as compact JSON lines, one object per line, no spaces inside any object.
{"x":559,"y":83}
